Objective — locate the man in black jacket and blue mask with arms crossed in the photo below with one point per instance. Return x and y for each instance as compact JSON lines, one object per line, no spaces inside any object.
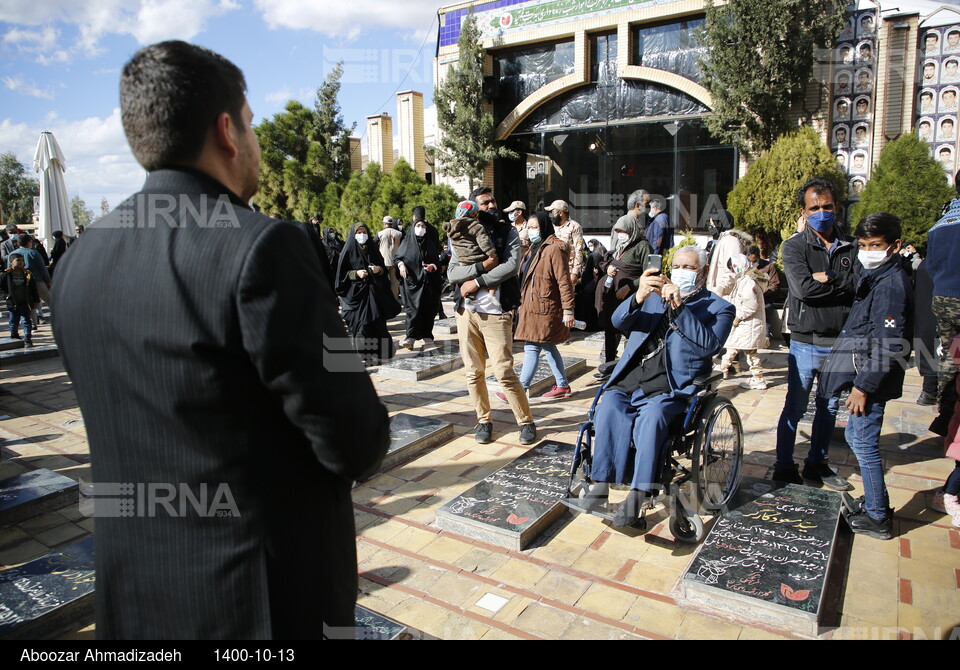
{"x":820,"y":265}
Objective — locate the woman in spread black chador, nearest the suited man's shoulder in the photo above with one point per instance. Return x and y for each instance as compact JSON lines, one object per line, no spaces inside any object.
{"x":365,"y":296}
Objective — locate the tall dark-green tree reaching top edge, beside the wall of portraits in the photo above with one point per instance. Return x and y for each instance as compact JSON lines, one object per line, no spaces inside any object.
{"x":761,"y":57}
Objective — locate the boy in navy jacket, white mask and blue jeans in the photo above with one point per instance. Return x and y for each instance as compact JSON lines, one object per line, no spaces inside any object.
{"x":869,"y":359}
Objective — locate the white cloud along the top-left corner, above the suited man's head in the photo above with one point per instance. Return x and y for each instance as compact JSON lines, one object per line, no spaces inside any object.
{"x":147,"y":20}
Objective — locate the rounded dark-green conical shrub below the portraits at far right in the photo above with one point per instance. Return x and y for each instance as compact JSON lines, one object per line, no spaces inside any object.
{"x":908,"y":183}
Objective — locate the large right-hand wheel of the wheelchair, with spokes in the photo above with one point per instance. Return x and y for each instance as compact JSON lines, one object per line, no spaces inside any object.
{"x":717,"y":454}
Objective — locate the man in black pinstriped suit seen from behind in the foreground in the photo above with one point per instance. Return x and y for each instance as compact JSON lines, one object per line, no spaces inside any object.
{"x":206,"y":380}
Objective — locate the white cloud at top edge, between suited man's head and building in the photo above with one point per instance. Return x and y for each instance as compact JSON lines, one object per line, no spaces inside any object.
{"x":348,"y":19}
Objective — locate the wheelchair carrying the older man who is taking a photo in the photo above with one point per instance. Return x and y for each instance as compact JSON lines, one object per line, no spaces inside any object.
{"x":701,"y":465}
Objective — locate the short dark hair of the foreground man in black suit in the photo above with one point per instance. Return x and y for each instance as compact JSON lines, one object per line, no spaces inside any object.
{"x":171,"y":94}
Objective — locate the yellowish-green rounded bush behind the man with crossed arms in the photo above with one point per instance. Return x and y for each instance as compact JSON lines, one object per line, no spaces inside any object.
{"x":764,"y":202}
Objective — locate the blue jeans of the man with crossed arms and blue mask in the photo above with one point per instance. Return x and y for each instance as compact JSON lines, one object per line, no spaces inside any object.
{"x":803,"y":367}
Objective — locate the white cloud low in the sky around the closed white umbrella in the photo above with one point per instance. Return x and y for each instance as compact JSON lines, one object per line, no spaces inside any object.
{"x":99,"y":162}
